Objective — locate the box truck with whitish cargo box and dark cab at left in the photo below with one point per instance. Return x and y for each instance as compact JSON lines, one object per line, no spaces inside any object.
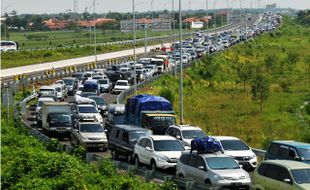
{"x":56,"y":118}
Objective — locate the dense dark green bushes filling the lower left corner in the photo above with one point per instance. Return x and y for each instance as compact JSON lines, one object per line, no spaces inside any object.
{"x":27,"y":163}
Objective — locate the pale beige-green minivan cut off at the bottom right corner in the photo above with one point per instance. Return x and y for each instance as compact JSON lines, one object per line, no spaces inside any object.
{"x":281,"y":174}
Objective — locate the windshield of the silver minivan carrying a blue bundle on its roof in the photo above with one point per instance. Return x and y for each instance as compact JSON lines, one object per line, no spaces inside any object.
{"x":221,"y":163}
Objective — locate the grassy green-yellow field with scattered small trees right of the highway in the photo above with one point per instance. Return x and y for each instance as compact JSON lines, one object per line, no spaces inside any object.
{"x":256,"y":91}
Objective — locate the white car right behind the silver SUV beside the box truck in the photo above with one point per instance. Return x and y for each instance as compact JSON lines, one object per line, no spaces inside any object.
{"x":86,"y":110}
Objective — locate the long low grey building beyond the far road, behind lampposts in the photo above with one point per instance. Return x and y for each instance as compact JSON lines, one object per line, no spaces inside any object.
{"x":163,"y":23}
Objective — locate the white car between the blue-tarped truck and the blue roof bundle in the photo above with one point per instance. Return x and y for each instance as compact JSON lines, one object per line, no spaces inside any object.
{"x":185,"y":133}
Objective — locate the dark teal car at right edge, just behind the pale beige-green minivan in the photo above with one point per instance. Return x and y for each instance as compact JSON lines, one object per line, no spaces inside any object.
{"x":288,"y":150}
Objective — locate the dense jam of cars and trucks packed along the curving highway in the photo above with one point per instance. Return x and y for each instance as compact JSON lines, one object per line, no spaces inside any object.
{"x":144,"y":131}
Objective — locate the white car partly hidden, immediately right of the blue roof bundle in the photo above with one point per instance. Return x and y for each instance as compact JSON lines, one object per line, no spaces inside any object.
{"x":238,"y":150}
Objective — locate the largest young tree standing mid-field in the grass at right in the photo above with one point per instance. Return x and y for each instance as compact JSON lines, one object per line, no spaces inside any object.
{"x":260,"y":90}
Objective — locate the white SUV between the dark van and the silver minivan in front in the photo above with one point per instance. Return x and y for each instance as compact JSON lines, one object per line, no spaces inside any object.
{"x":158,"y":151}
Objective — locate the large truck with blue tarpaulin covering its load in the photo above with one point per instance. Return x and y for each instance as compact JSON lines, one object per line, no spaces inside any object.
{"x":151,"y":112}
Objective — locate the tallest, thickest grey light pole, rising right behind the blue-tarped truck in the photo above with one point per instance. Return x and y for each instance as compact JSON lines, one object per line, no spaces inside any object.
{"x":181,"y":64}
